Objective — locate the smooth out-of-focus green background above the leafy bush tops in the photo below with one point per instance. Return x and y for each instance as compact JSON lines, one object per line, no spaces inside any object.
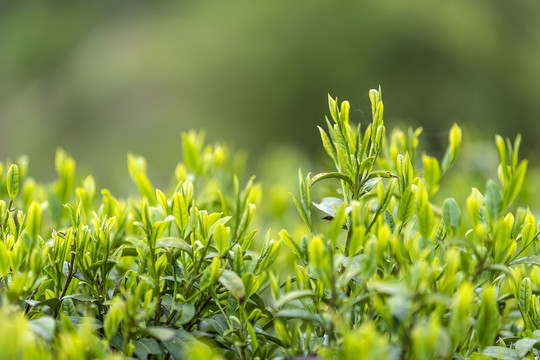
{"x":101,"y":78}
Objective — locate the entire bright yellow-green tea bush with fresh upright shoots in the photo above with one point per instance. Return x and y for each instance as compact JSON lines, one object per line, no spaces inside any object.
{"x":380,"y":270}
